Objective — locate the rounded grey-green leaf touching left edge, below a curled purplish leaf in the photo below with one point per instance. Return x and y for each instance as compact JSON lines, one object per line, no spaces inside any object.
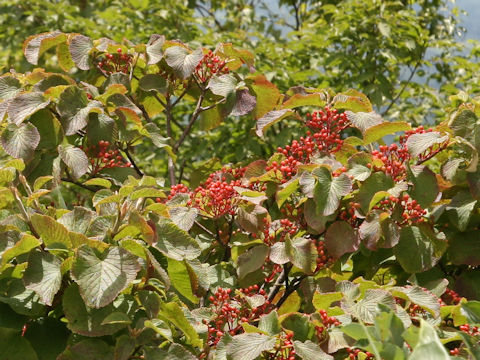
{"x":20,"y":141}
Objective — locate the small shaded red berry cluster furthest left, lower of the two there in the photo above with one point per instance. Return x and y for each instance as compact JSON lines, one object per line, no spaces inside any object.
{"x":103,"y":157}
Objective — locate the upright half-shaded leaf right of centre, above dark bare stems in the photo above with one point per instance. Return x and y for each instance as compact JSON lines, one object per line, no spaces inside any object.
{"x":302,"y":253}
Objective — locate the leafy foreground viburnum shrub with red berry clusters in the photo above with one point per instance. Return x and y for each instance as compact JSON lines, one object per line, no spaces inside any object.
{"x":356,"y":239}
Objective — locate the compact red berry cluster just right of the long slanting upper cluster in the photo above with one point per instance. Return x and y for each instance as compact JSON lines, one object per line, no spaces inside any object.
{"x":393,"y":158}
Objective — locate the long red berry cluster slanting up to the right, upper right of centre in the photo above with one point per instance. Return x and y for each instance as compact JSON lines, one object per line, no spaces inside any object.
{"x":325,"y":135}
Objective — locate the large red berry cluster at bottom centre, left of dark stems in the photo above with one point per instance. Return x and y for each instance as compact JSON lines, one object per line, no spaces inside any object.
{"x":233,"y":310}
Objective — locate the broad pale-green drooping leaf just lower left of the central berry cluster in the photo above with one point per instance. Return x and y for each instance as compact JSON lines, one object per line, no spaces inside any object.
{"x":176,"y":243}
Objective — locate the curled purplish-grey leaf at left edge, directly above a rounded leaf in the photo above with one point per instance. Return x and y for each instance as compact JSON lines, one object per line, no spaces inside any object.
{"x":24,"y":105}
